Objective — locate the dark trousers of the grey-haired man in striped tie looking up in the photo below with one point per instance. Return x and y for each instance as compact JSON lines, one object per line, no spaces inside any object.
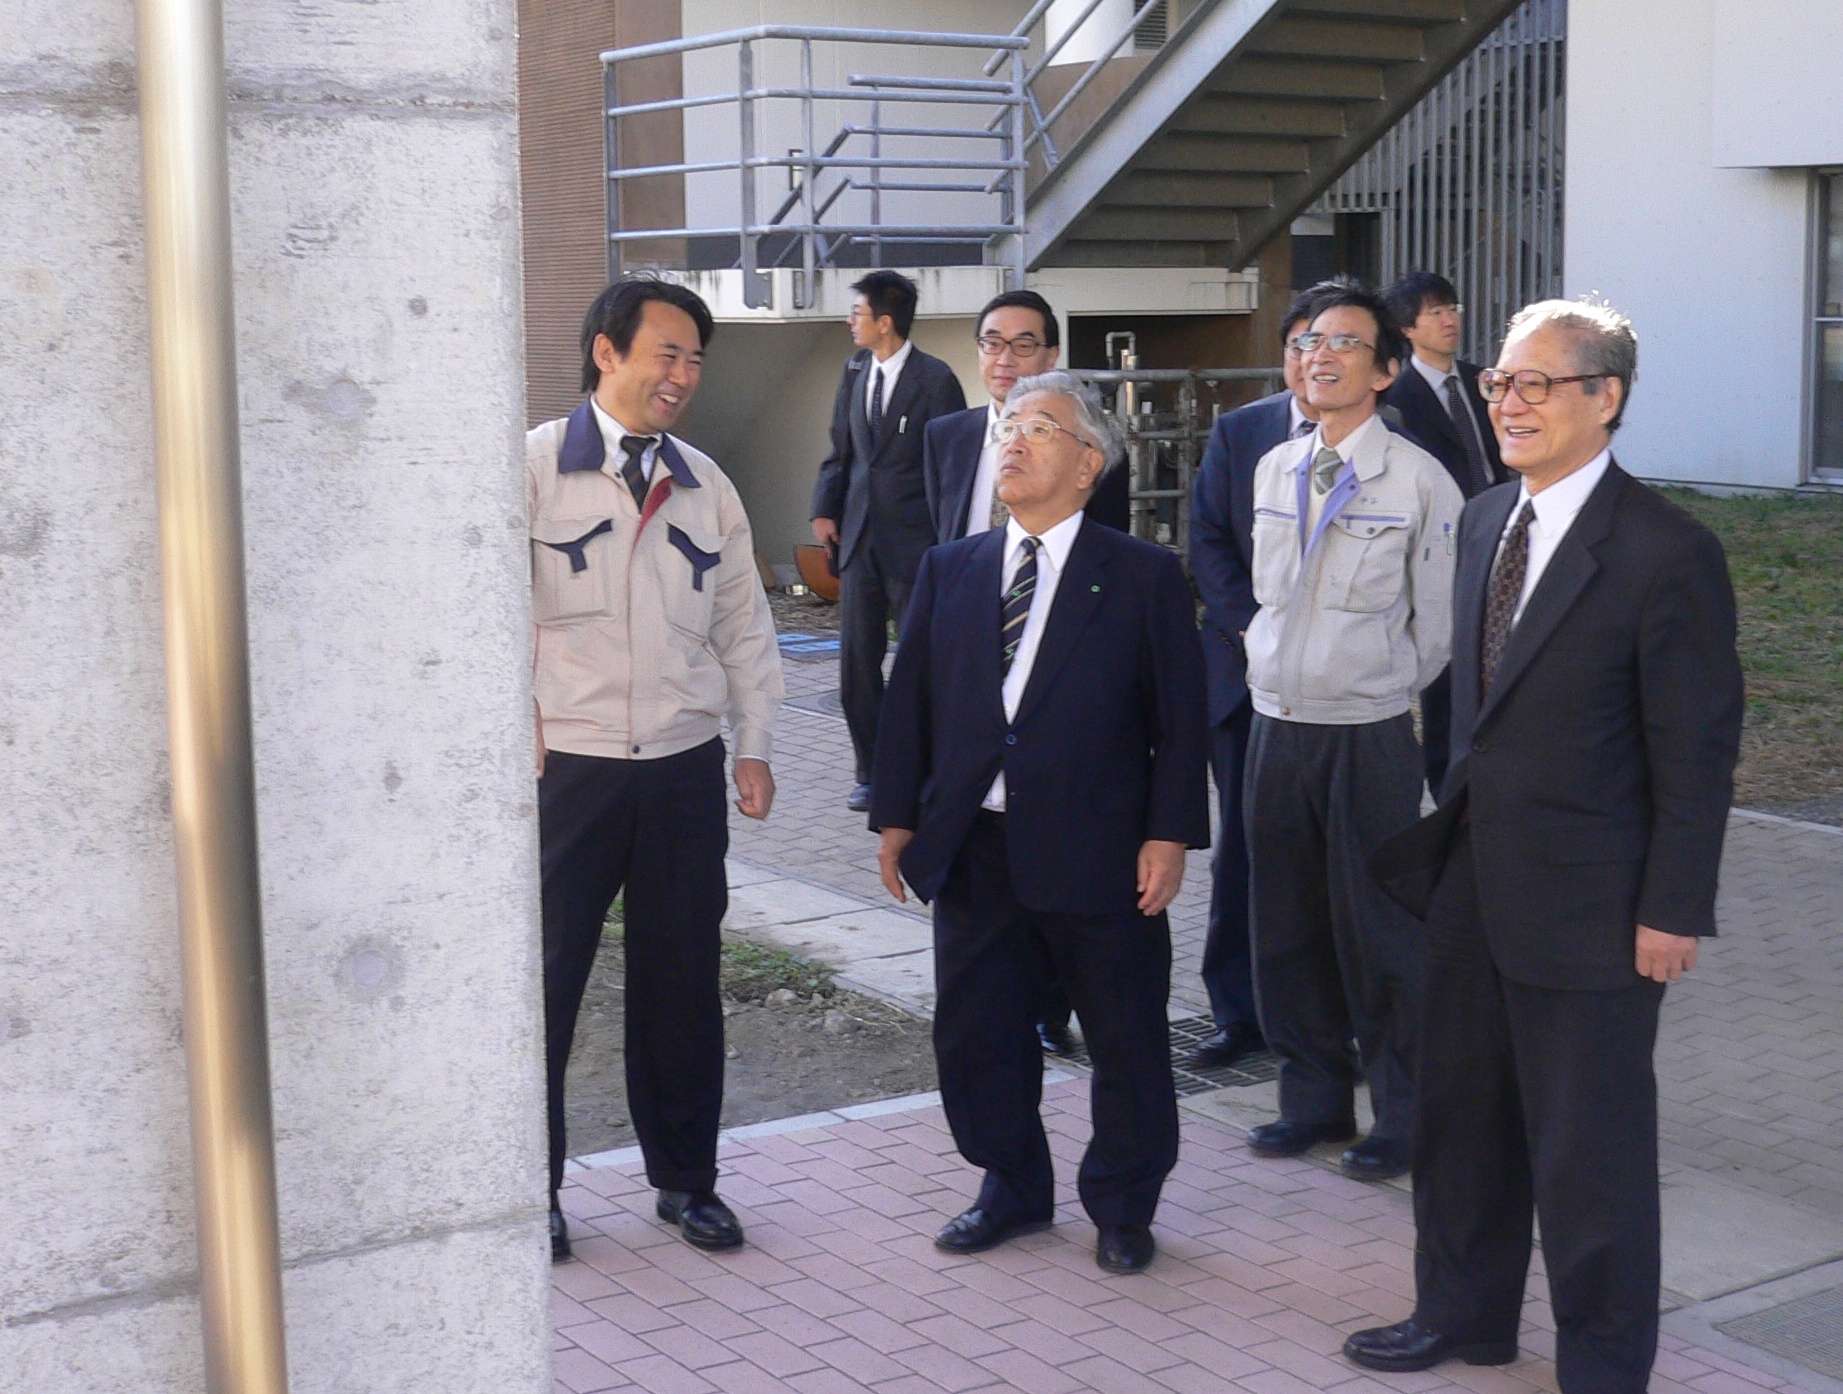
{"x":992,"y":960}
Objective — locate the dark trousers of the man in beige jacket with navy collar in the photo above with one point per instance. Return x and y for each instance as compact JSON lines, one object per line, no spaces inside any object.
{"x":661,"y":831}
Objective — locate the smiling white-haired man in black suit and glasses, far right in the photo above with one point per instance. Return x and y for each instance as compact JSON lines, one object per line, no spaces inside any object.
{"x":1567,"y":875}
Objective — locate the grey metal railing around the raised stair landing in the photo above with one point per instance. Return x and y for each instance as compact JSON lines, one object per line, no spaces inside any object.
{"x":854,"y":159}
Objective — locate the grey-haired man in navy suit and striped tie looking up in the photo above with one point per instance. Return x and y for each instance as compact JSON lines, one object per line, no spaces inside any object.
{"x":1040,"y":775}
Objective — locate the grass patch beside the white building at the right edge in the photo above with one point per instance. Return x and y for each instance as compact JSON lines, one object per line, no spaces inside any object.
{"x":1787,"y":560}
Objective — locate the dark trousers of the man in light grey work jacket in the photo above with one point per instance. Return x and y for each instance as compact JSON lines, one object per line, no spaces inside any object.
{"x":1335,"y":958}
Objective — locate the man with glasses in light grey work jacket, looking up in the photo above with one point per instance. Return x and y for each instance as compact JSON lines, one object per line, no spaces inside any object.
{"x":1354,"y":536}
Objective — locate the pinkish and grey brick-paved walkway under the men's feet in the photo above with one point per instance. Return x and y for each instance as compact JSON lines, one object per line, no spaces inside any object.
{"x":1265,"y":1266}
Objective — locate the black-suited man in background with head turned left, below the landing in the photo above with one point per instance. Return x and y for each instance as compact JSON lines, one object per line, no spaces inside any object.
{"x":871,"y":501}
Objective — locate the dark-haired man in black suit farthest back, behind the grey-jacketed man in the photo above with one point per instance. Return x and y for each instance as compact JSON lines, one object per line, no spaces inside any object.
{"x":1438,"y":401}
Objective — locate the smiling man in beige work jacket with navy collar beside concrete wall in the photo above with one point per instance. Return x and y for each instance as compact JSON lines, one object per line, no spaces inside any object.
{"x":652,"y":628}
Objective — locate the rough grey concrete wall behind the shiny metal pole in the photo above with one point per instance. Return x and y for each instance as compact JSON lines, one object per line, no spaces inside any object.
{"x":375,"y":183}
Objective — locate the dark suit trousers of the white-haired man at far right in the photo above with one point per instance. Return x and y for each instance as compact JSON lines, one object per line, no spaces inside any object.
{"x":1536,"y":1102}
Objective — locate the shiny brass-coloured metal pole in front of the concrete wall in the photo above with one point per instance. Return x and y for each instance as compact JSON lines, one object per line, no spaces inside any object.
{"x":193,"y":346}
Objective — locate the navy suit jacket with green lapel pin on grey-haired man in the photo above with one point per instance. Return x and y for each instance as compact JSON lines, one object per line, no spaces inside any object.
{"x":1109,"y":748}
